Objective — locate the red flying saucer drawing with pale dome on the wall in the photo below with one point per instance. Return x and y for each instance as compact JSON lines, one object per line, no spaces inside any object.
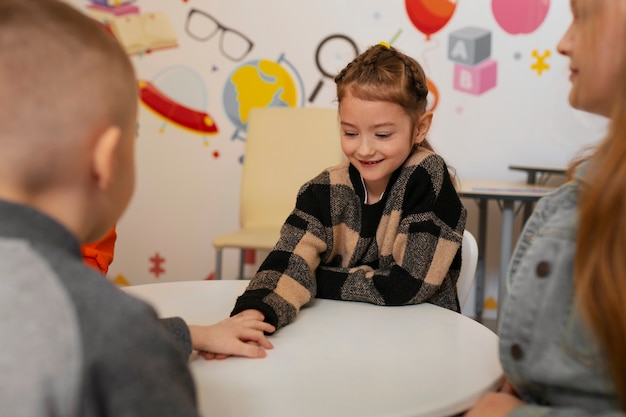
{"x":179,"y":96}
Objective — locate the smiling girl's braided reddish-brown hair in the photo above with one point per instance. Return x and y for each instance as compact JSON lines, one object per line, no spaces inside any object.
{"x":382,"y":73}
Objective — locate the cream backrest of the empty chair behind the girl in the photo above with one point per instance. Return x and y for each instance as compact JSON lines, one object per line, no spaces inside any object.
{"x":285,"y":147}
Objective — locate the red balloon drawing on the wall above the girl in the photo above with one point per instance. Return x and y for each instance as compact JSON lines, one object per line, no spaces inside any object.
{"x":429,"y":16}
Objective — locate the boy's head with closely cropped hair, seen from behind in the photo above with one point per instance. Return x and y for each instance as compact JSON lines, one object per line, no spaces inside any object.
{"x":68,"y":107}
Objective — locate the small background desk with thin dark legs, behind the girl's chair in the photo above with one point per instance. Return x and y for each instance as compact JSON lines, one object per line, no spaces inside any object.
{"x":506,"y":194}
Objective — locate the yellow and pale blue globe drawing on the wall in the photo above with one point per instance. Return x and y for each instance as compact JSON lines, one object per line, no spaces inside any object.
{"x":260,"y":83}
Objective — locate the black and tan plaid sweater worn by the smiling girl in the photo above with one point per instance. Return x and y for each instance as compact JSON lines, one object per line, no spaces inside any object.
{"x":405,"y":249}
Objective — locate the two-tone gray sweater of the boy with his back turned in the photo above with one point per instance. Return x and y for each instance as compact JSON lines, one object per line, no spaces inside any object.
{"x":72,"y":344}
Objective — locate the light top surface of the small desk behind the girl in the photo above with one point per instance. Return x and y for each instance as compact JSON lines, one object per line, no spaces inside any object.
{"x":502,"y":190}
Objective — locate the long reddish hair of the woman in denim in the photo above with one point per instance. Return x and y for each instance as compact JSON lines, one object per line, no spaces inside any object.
{"x":600,"y":262}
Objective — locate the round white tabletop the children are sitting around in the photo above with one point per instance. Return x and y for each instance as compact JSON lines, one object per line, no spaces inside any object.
{"x":339,"y":358}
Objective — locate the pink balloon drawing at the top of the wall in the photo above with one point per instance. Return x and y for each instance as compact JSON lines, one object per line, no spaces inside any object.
{"x":520,"y":16}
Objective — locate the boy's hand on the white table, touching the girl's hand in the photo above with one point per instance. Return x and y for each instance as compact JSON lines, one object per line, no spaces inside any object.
{"x":240,"y":335}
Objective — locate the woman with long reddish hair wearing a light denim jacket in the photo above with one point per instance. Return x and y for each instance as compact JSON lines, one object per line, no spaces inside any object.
{"x":563,"y":325}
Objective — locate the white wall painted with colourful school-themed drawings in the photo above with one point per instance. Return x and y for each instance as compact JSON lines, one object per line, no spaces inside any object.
{"x":501,"y":98}
